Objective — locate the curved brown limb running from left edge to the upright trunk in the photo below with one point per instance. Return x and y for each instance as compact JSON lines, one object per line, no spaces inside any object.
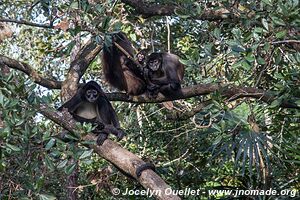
{"x":36,"y":77}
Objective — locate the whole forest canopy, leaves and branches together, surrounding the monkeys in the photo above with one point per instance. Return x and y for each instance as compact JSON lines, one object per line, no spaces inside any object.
{"x":235,"y":126}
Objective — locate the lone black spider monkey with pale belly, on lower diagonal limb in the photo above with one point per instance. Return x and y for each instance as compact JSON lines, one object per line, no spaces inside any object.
{"x":91,"y":105}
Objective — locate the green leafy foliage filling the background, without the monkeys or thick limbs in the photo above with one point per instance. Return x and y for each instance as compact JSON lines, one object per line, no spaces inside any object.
{"x":244,"y":143}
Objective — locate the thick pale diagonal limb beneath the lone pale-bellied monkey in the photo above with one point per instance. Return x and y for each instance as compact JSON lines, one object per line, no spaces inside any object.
{"x":115,"y":154}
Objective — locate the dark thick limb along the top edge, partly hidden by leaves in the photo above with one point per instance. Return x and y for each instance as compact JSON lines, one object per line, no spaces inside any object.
{"x":155,"y":9}
